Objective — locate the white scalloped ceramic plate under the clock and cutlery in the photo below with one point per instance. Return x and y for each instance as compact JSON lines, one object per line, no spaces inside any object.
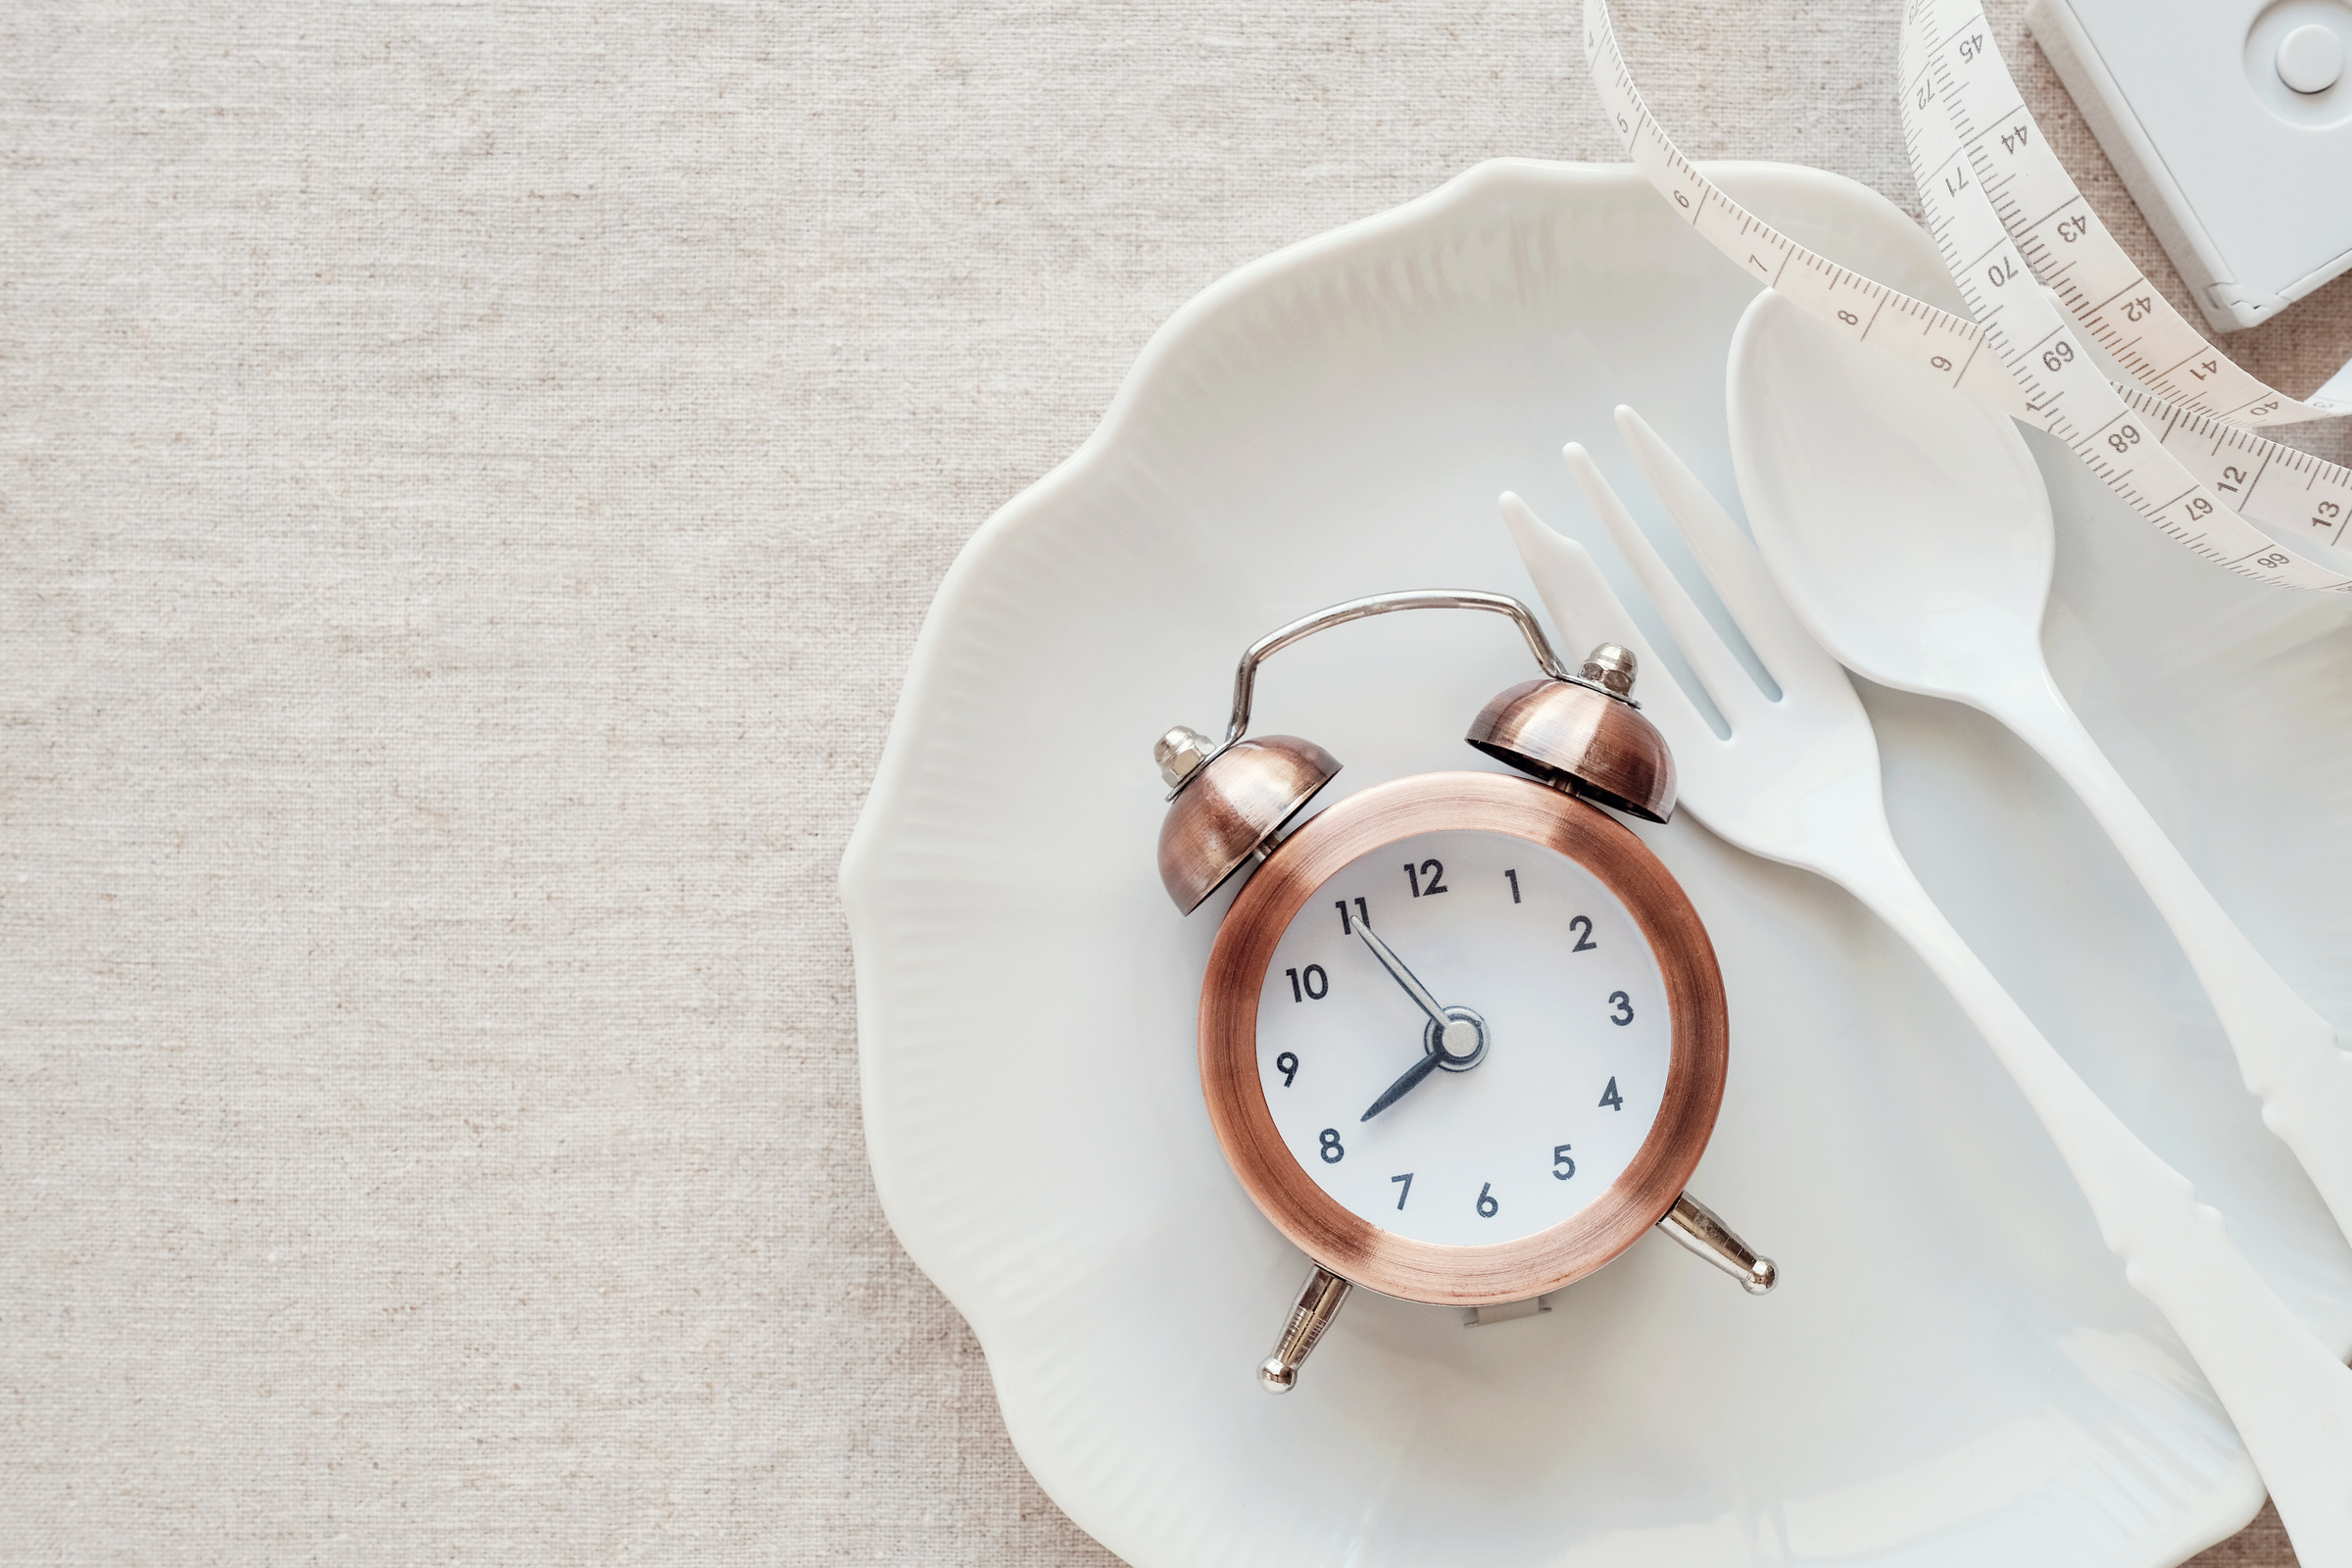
{"x":1953,"y":1369}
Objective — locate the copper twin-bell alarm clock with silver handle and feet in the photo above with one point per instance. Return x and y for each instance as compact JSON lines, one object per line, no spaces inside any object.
{"x":1462,"y":1036}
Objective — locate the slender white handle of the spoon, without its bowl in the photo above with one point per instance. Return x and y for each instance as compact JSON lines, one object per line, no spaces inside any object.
{"x":2285,"y":1052}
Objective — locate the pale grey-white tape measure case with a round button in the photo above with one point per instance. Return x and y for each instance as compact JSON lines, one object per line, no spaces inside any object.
{"x":2231,"y":123}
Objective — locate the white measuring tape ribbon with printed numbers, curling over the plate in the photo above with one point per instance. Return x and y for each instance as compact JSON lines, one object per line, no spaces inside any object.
{"x":2007,"y":222}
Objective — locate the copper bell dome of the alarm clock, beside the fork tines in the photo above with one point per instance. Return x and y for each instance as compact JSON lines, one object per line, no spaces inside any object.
{"x":1584,"y":737}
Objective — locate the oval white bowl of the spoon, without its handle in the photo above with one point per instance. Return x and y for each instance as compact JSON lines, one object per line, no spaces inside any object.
{"x":1906,"y":523}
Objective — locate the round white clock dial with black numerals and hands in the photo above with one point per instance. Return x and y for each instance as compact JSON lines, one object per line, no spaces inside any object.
{"x":1553,"y":1064}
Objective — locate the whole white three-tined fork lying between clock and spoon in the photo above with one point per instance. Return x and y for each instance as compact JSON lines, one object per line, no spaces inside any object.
{"x":1798,"y":782}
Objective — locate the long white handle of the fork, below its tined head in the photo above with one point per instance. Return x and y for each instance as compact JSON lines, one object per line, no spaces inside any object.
{"x":2292,"y":1400}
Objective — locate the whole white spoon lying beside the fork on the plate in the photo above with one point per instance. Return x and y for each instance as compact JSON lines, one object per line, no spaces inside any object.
{"x":1911,"y":532}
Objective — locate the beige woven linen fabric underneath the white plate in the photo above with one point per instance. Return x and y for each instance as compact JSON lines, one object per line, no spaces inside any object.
{"x":469,"y":483}
